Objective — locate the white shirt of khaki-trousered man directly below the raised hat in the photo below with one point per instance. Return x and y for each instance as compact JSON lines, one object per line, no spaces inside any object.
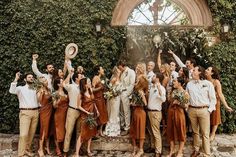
{"x":73,"y":92}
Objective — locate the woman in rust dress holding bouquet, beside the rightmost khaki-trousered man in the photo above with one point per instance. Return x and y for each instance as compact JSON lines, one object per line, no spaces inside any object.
{"x":176,"y":124}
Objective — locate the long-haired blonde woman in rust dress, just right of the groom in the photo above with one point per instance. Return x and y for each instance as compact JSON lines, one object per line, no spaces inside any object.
{"x":138,"y":121}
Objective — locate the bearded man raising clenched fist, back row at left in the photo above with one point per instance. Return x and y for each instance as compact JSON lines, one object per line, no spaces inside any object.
{"x":49,"y":69}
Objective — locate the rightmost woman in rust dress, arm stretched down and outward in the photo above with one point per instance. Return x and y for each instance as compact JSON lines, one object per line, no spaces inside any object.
{"x":212,"y":74}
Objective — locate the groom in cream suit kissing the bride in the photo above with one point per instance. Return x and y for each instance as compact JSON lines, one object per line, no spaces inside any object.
{"x":127,"y":79}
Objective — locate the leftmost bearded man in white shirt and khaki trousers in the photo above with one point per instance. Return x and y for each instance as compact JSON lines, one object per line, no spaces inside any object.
{"x":29,"y":113}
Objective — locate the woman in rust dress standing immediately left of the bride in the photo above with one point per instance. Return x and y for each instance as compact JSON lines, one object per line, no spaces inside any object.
{"x":98,"y":90}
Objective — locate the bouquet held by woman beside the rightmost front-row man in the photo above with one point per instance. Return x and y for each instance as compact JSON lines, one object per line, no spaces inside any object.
{"x":182,"y":97}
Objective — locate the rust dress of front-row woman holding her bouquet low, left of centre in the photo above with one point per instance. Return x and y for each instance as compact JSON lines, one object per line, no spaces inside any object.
{"x":86,"y":132}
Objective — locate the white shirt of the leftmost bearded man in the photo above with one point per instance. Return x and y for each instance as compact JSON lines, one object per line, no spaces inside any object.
{"x":27,"y":97}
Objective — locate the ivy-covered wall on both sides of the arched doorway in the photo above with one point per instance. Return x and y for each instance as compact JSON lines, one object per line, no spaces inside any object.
{"x":46,"y":27}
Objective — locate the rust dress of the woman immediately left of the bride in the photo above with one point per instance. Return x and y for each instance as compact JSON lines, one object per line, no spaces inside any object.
{"x":101,"y":104}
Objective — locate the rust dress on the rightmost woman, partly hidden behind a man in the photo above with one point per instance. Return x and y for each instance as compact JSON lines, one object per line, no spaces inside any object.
{"x":216,"y":114}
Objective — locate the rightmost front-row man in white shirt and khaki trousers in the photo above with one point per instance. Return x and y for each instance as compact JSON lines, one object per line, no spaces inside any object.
{"x":202,"y":103}
